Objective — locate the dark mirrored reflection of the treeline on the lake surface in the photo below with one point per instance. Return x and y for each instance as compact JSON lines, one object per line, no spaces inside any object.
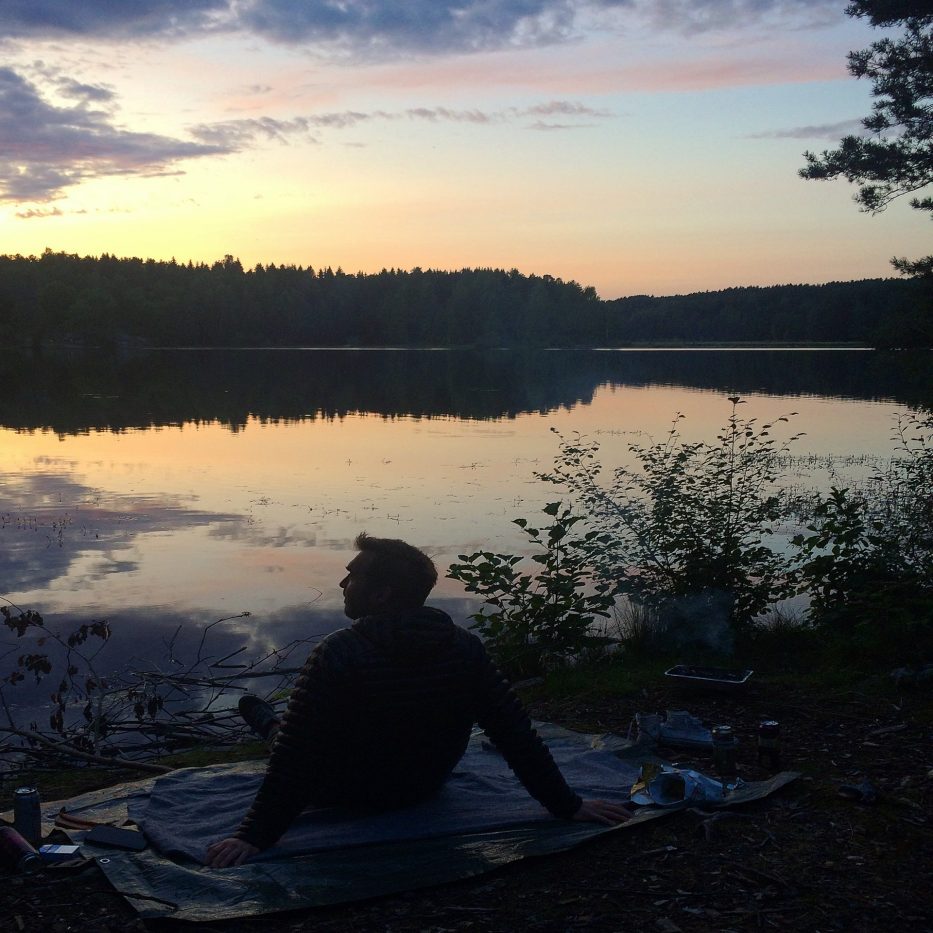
{"x":70,"y":393}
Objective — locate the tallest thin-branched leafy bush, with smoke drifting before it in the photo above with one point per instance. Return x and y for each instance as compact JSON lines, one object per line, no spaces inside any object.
{"x":683,"y":532}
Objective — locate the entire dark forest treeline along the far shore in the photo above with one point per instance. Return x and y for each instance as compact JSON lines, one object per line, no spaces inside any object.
{"x":62,"y":298}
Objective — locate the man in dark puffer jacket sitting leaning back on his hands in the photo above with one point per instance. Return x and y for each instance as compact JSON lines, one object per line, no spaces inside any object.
{"x":382,"y":711}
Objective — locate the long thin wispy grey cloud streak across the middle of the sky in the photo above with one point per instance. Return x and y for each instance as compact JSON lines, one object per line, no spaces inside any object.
{"x":237,"y":134}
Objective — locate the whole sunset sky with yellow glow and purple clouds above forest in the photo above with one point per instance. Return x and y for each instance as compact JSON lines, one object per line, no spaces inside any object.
{"x":640,"y":146}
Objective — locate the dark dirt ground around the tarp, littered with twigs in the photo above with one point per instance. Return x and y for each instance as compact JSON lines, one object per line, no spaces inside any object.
{"x":806,"y":858}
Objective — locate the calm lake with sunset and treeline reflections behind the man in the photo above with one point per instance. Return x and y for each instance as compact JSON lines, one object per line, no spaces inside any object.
{"x":163,"y":490}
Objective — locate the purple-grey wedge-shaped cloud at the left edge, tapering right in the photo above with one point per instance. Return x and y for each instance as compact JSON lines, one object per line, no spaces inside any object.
{"x":45,"y":149}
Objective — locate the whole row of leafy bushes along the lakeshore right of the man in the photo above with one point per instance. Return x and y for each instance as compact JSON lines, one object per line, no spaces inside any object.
{"x":676,"y":548}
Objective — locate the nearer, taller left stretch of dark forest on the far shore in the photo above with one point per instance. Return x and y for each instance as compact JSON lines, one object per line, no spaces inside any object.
{"x":61,"y":297}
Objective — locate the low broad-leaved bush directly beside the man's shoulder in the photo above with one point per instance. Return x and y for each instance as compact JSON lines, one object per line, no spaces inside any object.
{"x":530,"y":620}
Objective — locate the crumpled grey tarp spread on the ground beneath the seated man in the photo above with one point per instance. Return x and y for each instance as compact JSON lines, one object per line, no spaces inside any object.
{"x":484,"y":819}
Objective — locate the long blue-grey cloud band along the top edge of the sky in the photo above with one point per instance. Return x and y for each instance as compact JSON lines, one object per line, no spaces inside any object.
{"x":380,"y":29}
